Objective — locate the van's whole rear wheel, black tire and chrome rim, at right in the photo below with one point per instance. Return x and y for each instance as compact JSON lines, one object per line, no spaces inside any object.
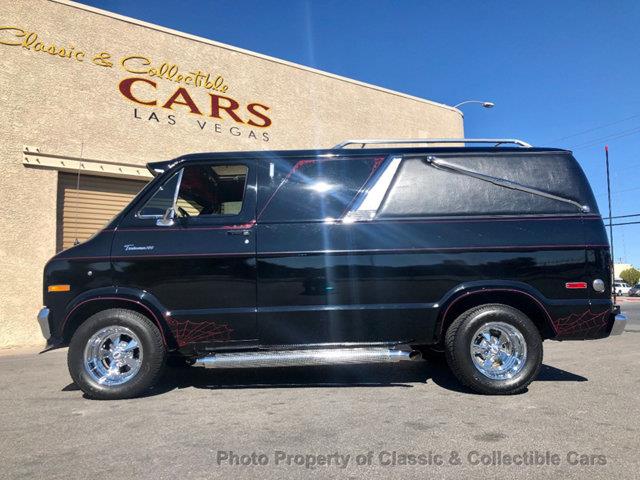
{"x":494,"y":349}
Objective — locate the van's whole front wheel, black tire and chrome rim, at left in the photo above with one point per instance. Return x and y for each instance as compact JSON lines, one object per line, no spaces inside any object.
{"x":116,"y":354}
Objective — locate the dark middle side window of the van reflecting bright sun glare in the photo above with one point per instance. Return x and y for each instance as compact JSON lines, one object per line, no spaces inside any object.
{"x":317,"y":188}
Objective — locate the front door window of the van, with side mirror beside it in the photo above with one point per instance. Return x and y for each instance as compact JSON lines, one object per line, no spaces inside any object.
{"x":199,"y":190}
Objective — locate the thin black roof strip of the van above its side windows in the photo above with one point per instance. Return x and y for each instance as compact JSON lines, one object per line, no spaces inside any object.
{"x":157,"y":168}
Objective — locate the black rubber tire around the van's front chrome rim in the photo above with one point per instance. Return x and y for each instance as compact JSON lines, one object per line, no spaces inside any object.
{"x":151,"y":365}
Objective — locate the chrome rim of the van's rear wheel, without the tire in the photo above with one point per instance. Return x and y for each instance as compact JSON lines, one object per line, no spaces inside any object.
{"x":498,"y":350}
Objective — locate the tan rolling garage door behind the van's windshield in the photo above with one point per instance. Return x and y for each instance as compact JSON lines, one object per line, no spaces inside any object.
{"x":83,"y":211}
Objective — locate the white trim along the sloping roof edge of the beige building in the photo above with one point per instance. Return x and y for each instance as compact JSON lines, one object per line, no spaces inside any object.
{"x":249,"y":52}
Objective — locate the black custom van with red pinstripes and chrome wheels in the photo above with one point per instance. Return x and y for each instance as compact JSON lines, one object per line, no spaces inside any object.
{"x":347,"y":255}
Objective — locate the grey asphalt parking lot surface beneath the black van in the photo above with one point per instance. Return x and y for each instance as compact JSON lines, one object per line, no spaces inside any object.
{"x":582,"y":413}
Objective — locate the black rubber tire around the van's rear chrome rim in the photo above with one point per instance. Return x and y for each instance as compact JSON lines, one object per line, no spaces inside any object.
{"x":458,"y":343}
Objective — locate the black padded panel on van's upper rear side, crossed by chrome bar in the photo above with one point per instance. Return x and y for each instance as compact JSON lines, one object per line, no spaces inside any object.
{"x":421,"y":190}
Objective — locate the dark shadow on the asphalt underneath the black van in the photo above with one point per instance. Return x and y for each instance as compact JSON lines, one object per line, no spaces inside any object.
{"x":404,"y":375}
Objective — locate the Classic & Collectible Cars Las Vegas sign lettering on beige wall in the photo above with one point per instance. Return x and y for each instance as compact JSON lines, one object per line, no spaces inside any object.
{"x":196,"y":97}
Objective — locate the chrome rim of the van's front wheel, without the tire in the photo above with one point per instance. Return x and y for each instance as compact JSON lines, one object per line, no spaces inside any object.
{"x":113,"y":355}
